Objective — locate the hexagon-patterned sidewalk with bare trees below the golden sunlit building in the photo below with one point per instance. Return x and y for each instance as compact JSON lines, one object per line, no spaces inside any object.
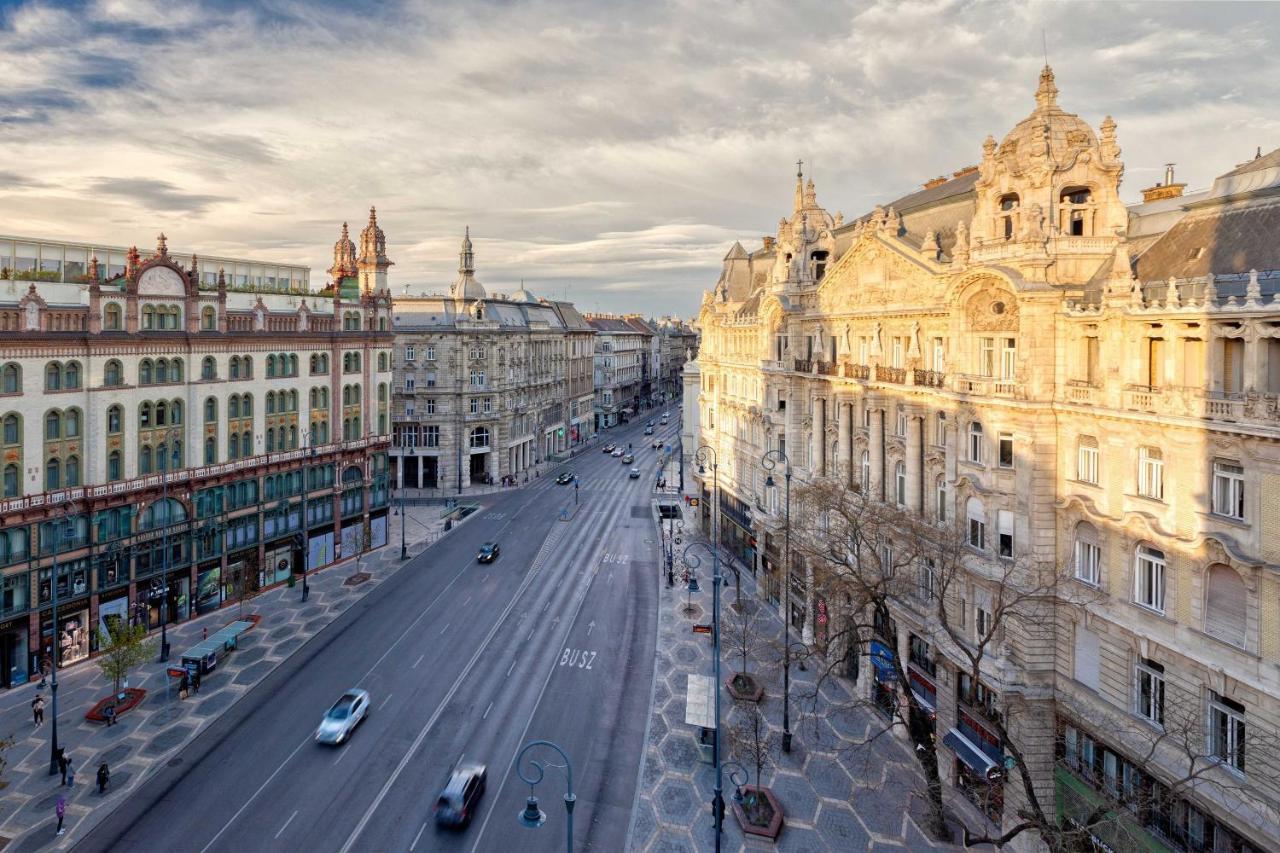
{"x":835,"y":797}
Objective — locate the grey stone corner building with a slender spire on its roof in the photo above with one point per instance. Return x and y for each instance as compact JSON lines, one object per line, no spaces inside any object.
{"x":487,"y":387}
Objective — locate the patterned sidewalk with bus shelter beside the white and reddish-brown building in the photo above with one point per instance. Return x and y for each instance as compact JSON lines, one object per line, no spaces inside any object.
{"x":163,"y":724}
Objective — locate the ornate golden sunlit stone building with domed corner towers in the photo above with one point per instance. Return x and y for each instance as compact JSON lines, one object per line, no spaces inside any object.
{"x":1082,"y":386}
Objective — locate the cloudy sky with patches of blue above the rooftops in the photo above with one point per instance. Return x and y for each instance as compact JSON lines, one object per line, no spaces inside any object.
{"x":605,"y":150}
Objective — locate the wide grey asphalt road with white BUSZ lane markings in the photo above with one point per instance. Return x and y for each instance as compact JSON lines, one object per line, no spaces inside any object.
{"x":552,"y":641}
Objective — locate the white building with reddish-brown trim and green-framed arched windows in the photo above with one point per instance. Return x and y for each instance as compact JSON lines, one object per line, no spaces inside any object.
{"x":180,"y":434}
